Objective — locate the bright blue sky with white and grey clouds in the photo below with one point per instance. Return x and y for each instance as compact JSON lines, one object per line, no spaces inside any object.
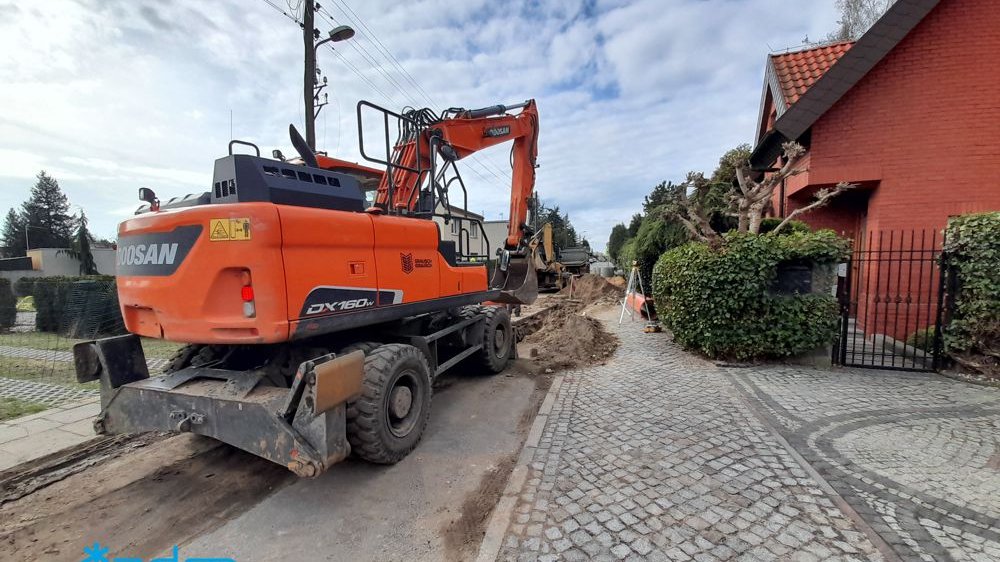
{"x":111,"y":95}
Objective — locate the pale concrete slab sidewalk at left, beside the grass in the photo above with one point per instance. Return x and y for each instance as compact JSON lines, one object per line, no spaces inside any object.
{"x":30,"y":437}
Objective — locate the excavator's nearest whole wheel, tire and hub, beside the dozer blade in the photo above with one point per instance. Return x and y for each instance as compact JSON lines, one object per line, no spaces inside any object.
{"x":386,"y":422}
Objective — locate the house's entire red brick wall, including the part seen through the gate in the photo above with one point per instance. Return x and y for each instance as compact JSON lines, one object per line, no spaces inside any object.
{"x":921,"y":133}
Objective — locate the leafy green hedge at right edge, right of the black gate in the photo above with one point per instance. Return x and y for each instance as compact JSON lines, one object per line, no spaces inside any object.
{"x":972,"y":250}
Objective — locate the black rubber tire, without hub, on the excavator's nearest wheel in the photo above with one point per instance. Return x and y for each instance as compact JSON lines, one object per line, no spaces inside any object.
{"x":367,"y":417}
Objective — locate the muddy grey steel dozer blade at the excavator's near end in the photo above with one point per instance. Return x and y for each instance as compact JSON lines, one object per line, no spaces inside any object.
{"x":302,"y":427}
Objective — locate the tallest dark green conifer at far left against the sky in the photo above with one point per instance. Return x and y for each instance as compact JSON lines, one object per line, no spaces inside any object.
{"x":46,"y":213}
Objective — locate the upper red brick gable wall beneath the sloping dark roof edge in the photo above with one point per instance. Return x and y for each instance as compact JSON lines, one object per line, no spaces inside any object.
{"x":925,"y":120}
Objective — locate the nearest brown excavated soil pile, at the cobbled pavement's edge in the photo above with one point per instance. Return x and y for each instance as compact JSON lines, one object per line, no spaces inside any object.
{"x":563,"y":339}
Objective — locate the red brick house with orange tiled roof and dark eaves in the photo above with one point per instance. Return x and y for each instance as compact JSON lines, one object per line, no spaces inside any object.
{"x":910,"y":112}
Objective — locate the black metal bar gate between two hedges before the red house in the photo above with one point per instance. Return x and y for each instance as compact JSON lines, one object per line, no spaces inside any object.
{"x":891,"y":301}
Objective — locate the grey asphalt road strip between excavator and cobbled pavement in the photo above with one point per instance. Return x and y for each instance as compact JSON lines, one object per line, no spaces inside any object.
{"x":430,"y":506}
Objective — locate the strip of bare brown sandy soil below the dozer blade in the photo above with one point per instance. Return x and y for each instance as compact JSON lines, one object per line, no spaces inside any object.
{"x":146,"y":500}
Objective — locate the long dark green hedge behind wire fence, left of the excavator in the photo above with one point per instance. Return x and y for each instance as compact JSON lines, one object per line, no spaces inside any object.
{"x":80,"y":307}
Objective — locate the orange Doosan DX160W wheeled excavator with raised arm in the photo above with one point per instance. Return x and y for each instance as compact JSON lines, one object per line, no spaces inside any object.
{"x":317,"y":319}
